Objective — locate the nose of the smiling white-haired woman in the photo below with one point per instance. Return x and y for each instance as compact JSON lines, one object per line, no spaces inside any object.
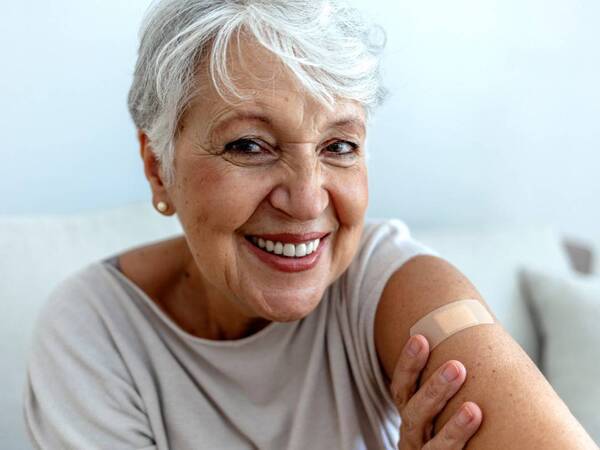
{"x":301,"y":194}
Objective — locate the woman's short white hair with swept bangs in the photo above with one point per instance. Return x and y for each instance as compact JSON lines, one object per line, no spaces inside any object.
{"x":326,"y":44}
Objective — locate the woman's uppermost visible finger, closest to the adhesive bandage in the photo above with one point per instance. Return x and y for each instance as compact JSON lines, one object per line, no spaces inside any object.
{"x":408,"y":368}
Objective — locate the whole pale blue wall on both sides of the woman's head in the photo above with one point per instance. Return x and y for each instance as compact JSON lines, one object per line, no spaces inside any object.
{"x":494,"y":115}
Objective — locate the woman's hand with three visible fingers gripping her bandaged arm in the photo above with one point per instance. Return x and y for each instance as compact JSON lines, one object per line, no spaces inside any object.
{"x":419,"y":410}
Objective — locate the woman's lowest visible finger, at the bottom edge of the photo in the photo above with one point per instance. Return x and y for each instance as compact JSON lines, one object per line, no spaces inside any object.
{"x":458,"y":430}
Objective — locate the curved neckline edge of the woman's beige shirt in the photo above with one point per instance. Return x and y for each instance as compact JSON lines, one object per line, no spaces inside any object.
{"x":116,"y":273}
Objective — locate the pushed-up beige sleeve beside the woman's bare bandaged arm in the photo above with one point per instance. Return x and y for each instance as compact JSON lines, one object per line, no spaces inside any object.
{"x":384,"y":248}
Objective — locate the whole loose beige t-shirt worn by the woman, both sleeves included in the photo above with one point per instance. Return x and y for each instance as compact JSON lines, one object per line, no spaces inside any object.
{"x":107,"y":369}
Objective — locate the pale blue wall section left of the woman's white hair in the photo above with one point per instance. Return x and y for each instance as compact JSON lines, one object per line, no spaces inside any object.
{"x":67,"y":140}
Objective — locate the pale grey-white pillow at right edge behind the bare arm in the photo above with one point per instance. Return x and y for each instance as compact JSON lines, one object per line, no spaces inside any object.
{"x":567,"y":311}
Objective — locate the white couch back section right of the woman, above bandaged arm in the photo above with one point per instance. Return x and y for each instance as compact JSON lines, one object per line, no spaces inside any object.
{"x":490,"y":257}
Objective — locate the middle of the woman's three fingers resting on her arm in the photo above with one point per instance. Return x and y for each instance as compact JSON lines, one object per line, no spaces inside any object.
{"x":429,"y":400}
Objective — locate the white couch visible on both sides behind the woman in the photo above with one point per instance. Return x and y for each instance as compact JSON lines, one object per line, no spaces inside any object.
{"x":37,"y":252}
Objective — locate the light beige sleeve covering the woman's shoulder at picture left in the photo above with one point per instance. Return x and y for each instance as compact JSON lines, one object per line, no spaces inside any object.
{"x":78,"y":393}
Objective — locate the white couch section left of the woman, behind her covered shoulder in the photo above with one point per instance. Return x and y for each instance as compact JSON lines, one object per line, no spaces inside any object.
{"x":38,"y":252}
